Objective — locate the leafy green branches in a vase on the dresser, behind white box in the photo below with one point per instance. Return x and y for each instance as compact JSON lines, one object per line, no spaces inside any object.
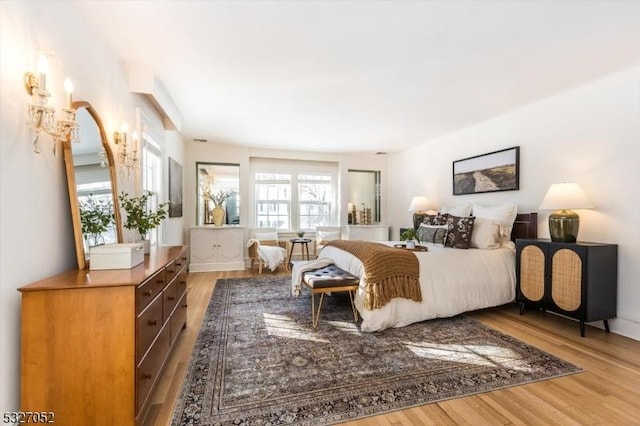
{"x":140,"y":217}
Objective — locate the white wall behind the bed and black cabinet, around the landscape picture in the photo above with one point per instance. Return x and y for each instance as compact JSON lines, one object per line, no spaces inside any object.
{"x":590,"y":135}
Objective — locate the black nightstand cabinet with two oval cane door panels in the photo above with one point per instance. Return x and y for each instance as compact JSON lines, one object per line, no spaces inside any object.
{"x":578,"y":280}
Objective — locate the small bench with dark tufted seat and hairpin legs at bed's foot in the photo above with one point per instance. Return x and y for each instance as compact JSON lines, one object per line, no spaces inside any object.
{"x":330,"y":279}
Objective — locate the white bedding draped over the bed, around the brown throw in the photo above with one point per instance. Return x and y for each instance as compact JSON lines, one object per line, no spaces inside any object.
{"x":452,"y":281}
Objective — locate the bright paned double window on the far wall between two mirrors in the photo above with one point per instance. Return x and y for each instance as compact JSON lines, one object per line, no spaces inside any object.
{"x":294,"y":195}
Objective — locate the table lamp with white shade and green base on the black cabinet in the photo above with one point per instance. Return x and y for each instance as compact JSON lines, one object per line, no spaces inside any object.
{"x":563,"y":222}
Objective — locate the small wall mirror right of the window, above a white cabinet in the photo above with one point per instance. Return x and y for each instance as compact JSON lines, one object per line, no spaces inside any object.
{"x":364,"y":197}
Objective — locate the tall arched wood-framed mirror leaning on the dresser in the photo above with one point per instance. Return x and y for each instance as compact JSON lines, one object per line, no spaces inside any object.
{"x":91,"y":178}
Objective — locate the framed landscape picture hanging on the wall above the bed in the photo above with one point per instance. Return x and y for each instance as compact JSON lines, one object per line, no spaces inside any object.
{"x":495,"y":171}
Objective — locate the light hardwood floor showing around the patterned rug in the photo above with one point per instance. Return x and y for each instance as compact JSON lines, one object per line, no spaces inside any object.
{"x":607,"y":393}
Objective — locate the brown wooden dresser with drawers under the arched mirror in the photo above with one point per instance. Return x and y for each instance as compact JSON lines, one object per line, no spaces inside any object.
{"x":95,"y":342}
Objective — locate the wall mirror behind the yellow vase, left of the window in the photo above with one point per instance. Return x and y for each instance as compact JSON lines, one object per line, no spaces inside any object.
{"x":216,"y":179}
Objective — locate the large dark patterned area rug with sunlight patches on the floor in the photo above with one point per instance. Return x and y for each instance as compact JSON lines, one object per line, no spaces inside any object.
{"x":258,"y":361}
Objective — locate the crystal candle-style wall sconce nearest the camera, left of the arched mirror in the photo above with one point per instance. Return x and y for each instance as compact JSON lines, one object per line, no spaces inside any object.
{"x":41,"y":116}
